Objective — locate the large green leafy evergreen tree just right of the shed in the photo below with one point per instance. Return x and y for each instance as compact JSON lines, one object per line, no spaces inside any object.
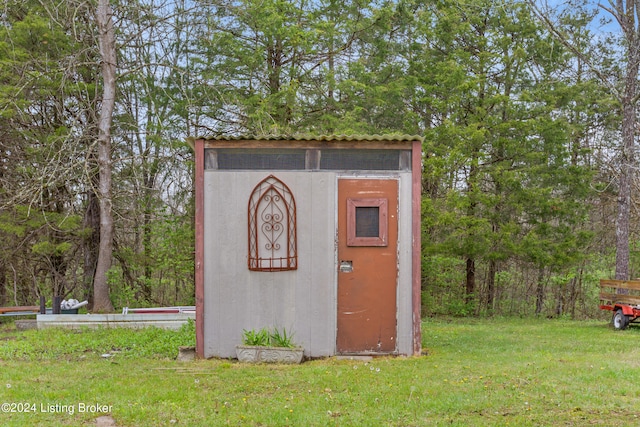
{"x":498,"y":140}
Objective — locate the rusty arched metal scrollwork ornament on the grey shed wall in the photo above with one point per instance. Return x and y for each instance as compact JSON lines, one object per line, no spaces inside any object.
{"x":272,"y":227}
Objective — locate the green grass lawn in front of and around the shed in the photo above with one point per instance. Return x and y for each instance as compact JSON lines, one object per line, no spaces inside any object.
{"x":518,"y":372}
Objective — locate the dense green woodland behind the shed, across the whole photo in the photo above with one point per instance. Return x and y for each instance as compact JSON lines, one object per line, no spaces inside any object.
{"x":521,"y":107}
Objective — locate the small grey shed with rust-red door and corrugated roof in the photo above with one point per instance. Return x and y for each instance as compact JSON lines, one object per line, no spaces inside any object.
{"x":319,"y":235}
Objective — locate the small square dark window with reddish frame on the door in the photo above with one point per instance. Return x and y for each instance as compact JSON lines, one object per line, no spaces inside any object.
{"x":367,"y":222}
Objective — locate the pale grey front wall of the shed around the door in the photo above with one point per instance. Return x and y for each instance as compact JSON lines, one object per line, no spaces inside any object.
{"x":302,"y":300}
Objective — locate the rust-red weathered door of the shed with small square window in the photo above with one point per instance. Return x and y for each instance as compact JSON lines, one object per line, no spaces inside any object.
{"x":367,"y":265}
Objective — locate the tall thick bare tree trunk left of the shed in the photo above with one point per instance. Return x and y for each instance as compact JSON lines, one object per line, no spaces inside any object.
{"x":106,"y":40}
